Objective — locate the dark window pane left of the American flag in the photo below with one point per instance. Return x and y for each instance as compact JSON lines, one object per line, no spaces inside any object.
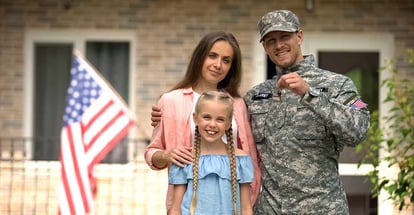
{"x":52,"y":73}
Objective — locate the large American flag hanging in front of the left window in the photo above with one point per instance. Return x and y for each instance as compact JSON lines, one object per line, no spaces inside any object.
{"x":95,"y":120}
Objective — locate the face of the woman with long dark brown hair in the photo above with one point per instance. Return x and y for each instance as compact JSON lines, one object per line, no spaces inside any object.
{"x":217,"y":63}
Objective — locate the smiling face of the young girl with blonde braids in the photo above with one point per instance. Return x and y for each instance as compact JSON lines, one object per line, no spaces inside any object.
{"x":212,"y":120}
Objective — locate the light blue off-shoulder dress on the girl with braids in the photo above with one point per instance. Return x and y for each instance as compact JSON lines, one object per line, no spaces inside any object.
{"x":214,"y":193}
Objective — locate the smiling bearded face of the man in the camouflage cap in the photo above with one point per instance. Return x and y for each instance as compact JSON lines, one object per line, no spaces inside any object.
{"x":283,"y":48}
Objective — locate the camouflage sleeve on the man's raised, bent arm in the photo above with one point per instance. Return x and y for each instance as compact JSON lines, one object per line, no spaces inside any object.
{"x":348,"y":125}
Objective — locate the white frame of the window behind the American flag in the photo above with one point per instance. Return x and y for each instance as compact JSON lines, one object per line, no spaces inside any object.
{"x":78,"y":38}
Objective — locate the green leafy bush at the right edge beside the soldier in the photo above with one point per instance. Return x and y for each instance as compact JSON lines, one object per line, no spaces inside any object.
{"x":394,"y":138}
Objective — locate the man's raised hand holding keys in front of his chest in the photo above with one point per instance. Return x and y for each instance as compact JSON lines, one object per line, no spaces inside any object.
{"x":293,"y":82}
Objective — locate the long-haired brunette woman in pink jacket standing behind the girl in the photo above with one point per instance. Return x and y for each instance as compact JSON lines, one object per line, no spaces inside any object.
{"x":215,"y":65}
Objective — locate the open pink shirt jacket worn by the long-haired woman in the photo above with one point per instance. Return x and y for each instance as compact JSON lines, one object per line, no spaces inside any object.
{"x":175,"y":129}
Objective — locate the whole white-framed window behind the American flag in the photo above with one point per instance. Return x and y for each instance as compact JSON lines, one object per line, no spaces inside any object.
{"x":48,"y":75}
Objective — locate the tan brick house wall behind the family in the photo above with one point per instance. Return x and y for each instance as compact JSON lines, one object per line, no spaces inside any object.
{"x":163,"y":34}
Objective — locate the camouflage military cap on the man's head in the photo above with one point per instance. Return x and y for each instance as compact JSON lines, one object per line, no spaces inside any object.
{"x":278,"y":20}
